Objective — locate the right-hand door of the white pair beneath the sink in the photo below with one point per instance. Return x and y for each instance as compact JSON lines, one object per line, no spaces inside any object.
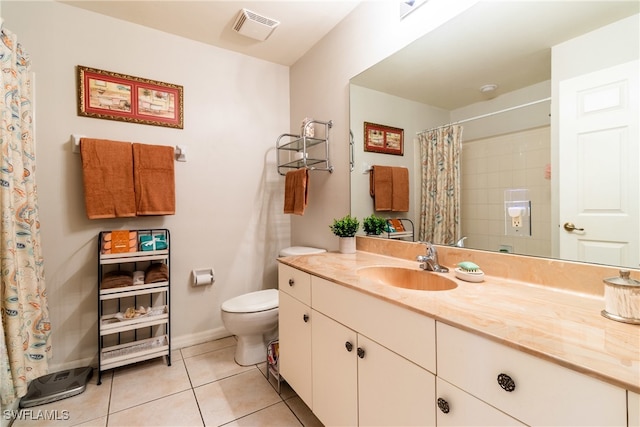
{"x":392,"y":391}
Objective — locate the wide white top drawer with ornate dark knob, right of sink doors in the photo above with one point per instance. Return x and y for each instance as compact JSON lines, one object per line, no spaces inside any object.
{"x":542,"y":393}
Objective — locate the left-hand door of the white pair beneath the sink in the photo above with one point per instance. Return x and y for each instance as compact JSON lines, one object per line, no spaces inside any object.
{"x":335,"y":387}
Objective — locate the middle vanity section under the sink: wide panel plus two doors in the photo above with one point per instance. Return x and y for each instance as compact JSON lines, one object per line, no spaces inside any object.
{"x":363,"y":347}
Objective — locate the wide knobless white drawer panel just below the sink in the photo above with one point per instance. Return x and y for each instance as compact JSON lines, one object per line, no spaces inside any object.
{"x":402,"y":331}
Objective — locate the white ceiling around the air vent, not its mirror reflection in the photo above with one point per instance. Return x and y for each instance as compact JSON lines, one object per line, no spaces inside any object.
{"x":302,"y":23}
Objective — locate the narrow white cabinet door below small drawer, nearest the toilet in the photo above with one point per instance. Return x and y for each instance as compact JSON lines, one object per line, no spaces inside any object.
{"x":294,"y":322}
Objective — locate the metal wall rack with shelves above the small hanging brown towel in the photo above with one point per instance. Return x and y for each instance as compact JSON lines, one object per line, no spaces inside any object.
{"x":293,"y":150}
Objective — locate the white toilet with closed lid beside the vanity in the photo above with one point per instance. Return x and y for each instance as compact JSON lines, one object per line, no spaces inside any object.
{"x":253,"y":317}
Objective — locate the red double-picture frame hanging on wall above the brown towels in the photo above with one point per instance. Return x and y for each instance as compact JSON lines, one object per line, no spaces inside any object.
{"x":114,"y":96}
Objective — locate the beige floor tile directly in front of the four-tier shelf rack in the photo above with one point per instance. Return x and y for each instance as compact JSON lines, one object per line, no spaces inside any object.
{"x":141,"y":383}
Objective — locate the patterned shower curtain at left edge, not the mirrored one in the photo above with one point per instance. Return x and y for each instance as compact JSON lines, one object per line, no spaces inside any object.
{"x":25,"y":347}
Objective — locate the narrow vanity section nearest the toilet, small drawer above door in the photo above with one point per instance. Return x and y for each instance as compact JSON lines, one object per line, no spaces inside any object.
{"x":294,"y":323}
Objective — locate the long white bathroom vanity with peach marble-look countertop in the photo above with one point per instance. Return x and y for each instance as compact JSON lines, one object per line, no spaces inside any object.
{"x":361,"y":351}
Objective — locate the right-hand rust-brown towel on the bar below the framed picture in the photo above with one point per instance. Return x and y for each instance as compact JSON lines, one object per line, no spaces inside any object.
{"x":154,"y":179}
